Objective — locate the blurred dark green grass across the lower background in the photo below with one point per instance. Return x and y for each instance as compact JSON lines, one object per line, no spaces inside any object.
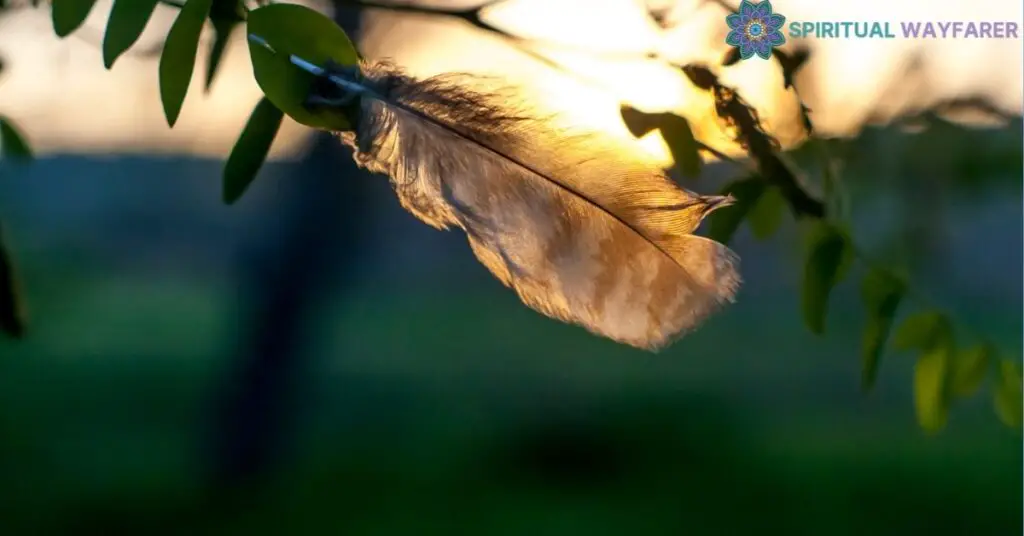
{"x":461,"y":413}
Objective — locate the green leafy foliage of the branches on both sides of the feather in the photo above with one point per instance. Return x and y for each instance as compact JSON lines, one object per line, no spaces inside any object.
{"x":772,"y":184}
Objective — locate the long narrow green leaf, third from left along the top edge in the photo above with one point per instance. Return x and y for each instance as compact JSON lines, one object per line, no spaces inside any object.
{"x":179,"y":60}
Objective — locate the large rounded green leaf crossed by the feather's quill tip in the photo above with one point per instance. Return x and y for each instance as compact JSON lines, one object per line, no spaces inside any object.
{"x":292,"y":29}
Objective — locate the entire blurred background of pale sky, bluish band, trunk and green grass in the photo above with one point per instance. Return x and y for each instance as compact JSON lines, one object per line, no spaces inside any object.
{"x":315,"y":360}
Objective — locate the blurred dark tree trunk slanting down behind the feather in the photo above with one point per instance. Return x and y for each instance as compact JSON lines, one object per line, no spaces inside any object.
{"x":320,"y":241}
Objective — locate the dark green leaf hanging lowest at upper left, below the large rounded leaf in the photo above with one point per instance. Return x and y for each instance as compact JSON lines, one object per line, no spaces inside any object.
{"x":251,"y":150}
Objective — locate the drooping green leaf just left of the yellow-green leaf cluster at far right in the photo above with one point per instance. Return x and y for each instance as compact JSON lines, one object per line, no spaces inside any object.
{"x":882,"y":295}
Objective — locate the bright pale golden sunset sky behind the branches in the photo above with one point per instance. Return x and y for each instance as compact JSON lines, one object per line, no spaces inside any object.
{"x":59,"y":92}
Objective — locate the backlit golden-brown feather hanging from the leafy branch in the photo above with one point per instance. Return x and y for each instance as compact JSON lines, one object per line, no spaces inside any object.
{"x":581,"y":230}
